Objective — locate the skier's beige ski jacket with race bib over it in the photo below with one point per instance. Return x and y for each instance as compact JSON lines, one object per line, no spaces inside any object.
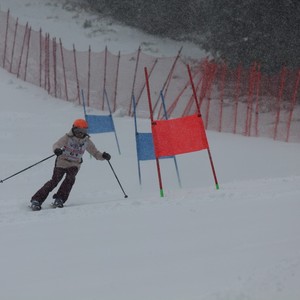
{"x":73,"y":150}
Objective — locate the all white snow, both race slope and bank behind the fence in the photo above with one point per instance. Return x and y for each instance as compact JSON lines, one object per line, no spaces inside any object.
{"x":240,"y":242}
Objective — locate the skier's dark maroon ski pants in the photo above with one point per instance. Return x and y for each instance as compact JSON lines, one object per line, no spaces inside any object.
{"x":64,"y":189}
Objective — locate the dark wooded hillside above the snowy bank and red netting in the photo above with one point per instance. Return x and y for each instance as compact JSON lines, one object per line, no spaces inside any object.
{"x":236,"y":31}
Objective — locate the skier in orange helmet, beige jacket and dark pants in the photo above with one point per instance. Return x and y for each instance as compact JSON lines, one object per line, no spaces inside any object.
{"x":69,"y":150}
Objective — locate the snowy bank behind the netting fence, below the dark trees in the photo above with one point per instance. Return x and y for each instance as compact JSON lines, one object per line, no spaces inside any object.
{"x":68,"y":24}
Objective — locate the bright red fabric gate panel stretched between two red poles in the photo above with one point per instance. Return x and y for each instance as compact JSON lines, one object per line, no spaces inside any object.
{"x":178,"y":136}
